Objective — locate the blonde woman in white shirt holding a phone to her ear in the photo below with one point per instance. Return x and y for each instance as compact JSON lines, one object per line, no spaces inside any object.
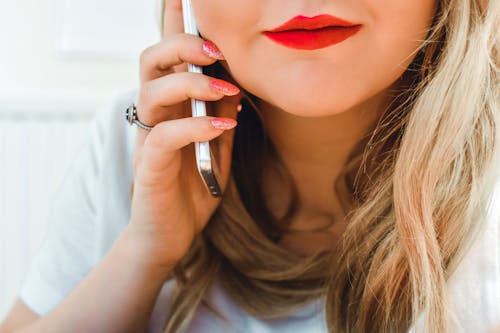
{"x":356,"y":178}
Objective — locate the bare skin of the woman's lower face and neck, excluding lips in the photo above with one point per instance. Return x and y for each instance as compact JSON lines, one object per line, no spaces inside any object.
{"x":328,"y":98}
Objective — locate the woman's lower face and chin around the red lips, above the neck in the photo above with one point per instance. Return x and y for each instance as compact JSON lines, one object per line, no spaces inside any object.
{"x":319,"y":82}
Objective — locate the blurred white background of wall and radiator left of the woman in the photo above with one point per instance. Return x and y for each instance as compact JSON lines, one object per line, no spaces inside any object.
{"x":60,"y":61}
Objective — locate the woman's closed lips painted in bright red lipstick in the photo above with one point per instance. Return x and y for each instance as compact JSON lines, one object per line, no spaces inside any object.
{"x":311,"y":33}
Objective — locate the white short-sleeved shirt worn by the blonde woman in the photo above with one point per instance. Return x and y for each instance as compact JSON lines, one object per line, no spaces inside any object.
{"x":93,"y":207}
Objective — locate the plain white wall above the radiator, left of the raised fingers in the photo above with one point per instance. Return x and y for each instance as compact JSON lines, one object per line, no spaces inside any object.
{"x":33,"y":69}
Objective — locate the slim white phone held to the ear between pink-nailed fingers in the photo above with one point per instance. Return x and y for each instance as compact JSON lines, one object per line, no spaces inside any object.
{"x":204,"y":159}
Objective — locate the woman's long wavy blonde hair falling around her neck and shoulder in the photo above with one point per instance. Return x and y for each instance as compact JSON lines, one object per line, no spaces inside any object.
{"x":420,"y":186}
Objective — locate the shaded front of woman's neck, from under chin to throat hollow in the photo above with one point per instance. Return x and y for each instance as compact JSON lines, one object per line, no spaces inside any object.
{"x":315,"y":150}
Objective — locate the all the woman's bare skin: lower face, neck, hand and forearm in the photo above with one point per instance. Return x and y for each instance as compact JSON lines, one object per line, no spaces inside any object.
{"x":360,"y":74}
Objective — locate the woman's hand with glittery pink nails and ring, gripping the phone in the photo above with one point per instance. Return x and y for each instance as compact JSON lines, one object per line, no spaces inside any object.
{"x":170,"y":203}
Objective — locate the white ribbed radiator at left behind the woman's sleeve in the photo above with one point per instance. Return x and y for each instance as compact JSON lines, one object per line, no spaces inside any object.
{"x":35,"y":151}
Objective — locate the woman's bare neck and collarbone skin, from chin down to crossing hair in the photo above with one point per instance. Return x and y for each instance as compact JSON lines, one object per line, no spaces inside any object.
{"x":315,"y":151}
